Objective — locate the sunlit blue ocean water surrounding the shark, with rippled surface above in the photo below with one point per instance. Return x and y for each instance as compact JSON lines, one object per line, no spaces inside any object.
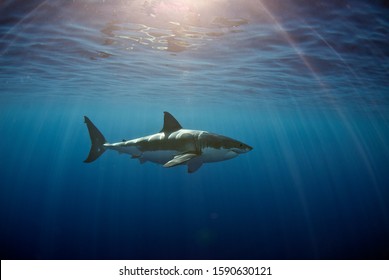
{"x":305,"y":83}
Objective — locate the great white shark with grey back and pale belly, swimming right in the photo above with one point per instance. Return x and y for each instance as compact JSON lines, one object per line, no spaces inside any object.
{"x":172,"y":146}
